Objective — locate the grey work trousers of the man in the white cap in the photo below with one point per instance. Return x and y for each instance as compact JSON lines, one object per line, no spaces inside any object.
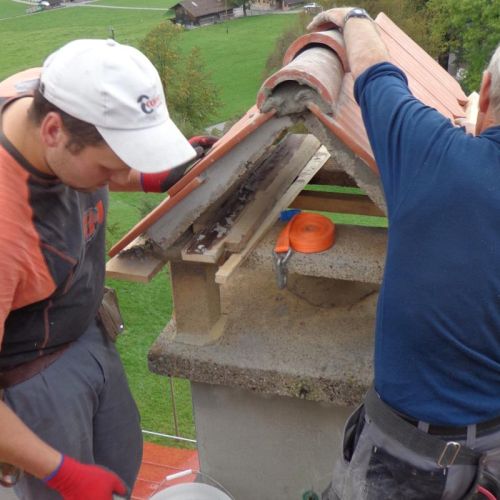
{"x":82,"y":406}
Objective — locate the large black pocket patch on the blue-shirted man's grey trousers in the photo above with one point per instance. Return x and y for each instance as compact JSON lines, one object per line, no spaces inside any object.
{"x":390,"y":478}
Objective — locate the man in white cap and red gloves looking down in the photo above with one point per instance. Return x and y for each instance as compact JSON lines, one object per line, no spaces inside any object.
{"x":97,"y":118}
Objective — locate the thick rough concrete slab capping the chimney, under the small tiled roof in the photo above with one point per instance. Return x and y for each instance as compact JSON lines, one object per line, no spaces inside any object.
{"x":282,"y":342}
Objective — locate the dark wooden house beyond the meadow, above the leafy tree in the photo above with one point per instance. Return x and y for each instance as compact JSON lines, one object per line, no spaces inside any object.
{"x":200,"y":12}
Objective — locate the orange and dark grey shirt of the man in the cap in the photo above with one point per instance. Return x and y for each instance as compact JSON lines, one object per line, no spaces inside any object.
{"x":52,"y":259}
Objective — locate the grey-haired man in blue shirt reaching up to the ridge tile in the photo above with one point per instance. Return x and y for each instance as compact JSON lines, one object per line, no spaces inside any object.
{"x":430,"y":429}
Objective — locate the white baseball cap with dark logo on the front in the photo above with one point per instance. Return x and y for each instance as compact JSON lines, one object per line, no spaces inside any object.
{"x":118,"y":90}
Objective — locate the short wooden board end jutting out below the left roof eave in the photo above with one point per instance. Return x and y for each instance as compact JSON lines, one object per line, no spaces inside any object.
{"x":135,"y":263}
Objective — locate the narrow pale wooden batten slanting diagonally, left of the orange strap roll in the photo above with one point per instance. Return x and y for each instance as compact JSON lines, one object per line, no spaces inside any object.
{"x":226,"y":270}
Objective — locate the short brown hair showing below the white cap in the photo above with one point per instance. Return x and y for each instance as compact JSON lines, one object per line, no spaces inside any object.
{"x":81,"y":134}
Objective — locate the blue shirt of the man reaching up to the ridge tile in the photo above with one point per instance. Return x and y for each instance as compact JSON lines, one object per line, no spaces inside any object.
{"x":437,"y":346}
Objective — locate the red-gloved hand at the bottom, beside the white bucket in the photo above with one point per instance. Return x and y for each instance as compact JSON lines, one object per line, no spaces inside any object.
{"x":77,"y":481}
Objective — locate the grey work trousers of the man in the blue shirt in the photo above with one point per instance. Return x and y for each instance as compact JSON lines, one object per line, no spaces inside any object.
{"x":381,"y":468}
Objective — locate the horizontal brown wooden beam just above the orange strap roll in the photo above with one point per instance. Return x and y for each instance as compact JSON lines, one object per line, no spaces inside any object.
{"x":337,"y":202}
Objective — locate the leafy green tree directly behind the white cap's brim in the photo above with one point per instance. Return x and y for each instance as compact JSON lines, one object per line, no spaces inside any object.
{"x":191,"y":95}
